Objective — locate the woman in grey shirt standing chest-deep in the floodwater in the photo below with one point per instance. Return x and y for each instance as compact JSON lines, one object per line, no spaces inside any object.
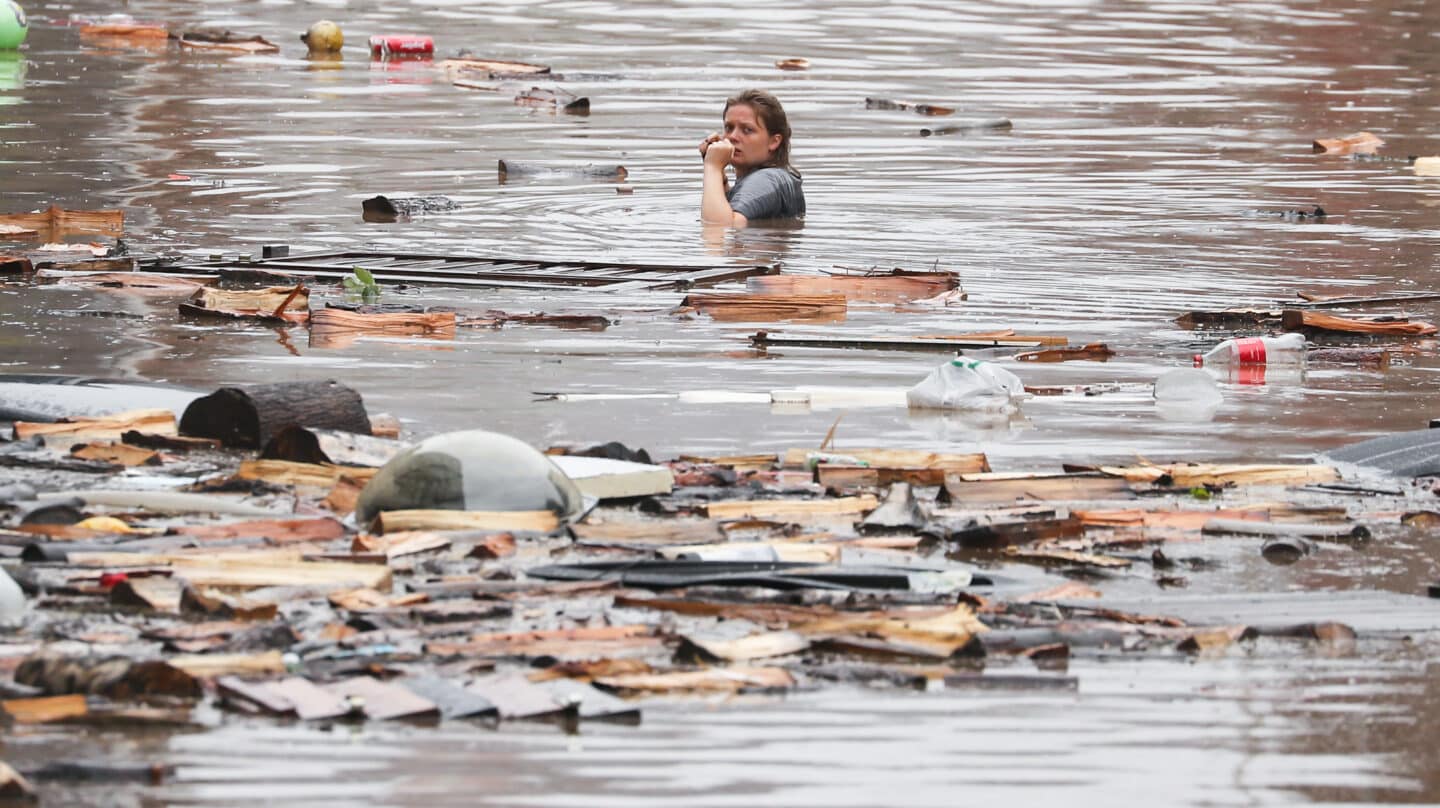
{"x":757,"y":142}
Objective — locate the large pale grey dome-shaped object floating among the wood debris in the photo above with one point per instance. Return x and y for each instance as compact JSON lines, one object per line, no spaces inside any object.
{"x":474,"y":472}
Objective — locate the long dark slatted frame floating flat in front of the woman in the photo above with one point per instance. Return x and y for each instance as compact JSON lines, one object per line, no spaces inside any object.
{"x":482,"y":271}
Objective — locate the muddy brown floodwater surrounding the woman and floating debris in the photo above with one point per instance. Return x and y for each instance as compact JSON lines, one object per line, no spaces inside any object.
{"x":1150,"y":145}
